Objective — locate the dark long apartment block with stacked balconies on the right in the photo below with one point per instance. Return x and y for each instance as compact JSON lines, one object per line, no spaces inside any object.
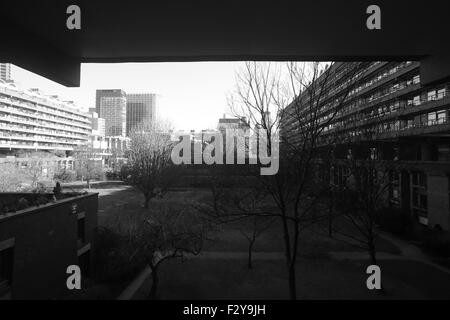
{"x":383,"y":112}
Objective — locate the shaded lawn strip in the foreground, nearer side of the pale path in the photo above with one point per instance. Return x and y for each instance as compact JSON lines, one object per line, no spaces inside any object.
{"x":317,"y":278}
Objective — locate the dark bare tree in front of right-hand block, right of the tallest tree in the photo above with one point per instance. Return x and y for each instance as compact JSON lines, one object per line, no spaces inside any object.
{"x":361,"y":183}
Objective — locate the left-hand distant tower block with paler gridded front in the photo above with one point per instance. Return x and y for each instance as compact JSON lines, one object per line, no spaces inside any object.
{"x":111,"y":105}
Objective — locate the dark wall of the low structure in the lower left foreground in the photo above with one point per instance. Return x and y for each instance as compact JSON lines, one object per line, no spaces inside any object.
{"x":46,"y":240}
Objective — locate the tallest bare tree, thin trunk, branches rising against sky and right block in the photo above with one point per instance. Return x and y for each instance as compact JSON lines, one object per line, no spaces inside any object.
{"x":301,"y":99}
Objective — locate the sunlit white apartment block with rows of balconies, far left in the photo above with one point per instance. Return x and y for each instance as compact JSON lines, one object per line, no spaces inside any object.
{"x":32,"y":121}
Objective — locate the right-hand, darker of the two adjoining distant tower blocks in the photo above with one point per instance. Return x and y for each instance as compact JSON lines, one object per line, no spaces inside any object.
{"x":141,"y":108}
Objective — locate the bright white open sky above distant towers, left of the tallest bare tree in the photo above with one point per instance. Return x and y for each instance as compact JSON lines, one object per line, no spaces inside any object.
{"x":192,"y":95}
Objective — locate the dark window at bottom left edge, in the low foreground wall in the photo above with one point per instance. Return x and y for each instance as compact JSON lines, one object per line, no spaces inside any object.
{"x":6,"y":266}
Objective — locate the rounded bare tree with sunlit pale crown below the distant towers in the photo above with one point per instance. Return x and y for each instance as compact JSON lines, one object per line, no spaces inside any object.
{"x":149,"y":166}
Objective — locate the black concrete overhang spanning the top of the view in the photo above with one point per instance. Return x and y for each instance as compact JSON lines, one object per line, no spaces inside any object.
{"x":35,"y":36}
